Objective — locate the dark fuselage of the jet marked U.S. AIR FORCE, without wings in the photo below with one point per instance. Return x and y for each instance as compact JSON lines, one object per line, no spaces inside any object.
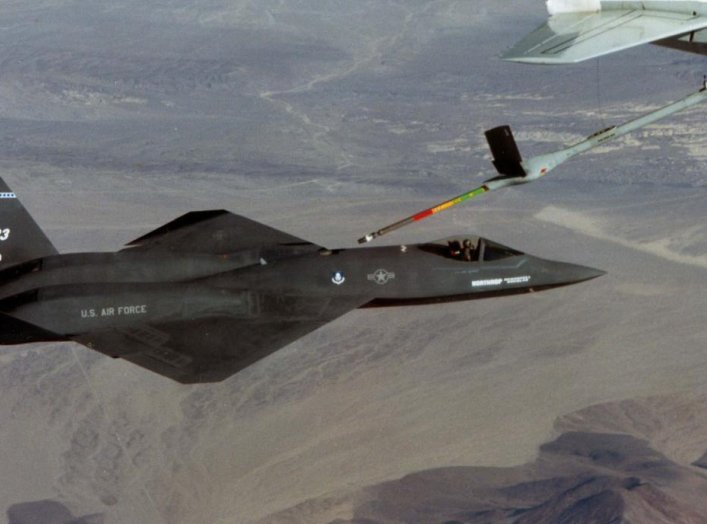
{"x":80,"y":293}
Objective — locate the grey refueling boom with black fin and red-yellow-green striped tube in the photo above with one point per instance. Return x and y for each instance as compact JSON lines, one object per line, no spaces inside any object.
{"x":513,"y":170}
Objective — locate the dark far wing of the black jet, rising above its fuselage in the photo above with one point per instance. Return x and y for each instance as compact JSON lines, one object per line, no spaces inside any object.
{"x":216,"y":232}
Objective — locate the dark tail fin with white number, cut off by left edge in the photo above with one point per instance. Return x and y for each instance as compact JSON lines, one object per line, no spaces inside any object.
{"x":20,"y":236}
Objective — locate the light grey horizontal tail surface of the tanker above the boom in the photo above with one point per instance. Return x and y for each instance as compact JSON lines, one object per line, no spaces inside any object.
{"x":574,"y":37}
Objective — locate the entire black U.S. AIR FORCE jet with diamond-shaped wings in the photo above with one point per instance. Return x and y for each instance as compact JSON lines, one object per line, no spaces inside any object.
{"x":210,"y":293}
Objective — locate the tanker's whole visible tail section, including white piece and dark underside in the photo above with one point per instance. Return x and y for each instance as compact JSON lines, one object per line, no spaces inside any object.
{"x":581,"y":29}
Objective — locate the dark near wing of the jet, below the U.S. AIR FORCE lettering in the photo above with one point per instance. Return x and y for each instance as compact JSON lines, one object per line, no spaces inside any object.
{"x":212,"y":349}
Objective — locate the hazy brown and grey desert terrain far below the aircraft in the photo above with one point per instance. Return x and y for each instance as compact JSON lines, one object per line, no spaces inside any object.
{"x":328,"y":119}
